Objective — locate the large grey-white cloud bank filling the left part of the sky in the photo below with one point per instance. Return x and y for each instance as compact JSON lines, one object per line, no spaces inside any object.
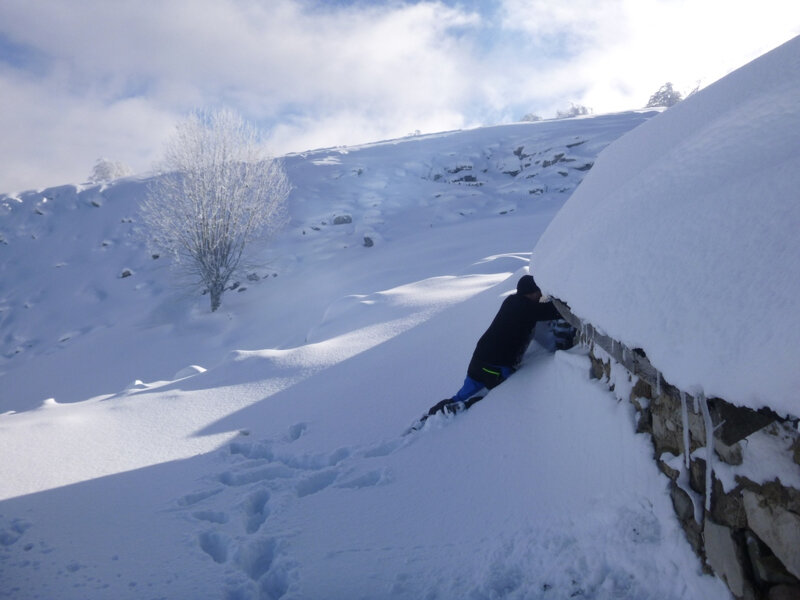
{"x":393,"y":65}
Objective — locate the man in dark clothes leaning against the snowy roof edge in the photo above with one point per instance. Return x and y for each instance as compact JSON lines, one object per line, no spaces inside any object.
{"x":499,"y":350}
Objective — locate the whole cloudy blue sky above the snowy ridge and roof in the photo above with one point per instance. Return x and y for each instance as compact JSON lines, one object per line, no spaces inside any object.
{"x":109,"y":78}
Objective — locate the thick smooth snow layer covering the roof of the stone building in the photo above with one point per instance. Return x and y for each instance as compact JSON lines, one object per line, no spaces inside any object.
{"x":683,"y":240}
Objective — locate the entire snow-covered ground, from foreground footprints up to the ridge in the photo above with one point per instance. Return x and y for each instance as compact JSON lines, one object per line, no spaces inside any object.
{"x":151,"y":449}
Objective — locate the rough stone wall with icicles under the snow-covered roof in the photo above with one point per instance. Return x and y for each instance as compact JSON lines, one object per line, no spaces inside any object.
{"x":746,"y":530}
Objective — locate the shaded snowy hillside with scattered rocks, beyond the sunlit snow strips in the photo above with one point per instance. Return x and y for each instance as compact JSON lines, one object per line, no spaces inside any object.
{"x":67,"y":311}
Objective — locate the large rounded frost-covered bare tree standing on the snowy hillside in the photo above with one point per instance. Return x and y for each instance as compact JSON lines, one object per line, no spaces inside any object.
{"x":217,"y":192}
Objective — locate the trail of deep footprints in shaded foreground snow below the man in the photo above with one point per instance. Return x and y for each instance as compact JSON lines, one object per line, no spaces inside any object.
{"x":233,"y":514}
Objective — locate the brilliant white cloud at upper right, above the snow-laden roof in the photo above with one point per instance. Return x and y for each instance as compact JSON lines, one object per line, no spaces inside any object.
{"x":619,"y":52}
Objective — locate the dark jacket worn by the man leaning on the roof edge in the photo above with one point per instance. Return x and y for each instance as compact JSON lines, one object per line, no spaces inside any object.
{"x":507,"y":338}
